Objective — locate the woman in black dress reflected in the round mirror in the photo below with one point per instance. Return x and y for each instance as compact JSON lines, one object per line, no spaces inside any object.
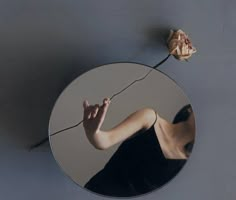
{"x":153,"y":149}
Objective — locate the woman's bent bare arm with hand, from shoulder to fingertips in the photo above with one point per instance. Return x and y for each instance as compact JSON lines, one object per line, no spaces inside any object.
{"x":94,"y":116}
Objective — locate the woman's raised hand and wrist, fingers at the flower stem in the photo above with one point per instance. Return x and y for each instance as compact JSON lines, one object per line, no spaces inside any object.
{"x":94,"y":116}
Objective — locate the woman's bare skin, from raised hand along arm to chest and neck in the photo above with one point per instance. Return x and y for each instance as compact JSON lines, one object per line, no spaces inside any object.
{"x":172,"y":137}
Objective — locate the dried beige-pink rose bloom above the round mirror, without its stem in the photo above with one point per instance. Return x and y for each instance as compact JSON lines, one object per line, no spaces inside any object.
{"x":180,"y":45}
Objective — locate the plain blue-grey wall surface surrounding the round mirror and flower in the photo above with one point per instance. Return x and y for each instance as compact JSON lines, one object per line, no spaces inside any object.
{"x":46,"y":44}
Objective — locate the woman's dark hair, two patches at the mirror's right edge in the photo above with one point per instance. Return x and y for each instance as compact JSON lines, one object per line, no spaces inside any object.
{"x":182,"y":116}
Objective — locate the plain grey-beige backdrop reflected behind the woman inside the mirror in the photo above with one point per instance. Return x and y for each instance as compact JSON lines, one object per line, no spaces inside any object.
{"x":71,"y":149}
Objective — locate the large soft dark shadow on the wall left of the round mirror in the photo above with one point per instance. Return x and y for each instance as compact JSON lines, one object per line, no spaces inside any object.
{"x":28,"y":96}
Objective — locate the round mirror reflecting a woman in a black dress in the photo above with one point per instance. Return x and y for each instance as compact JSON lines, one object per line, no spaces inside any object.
{"x":127,"y":145}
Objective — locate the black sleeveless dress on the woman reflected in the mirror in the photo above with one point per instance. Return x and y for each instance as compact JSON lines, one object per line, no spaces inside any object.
{"x":137,"y":167}
